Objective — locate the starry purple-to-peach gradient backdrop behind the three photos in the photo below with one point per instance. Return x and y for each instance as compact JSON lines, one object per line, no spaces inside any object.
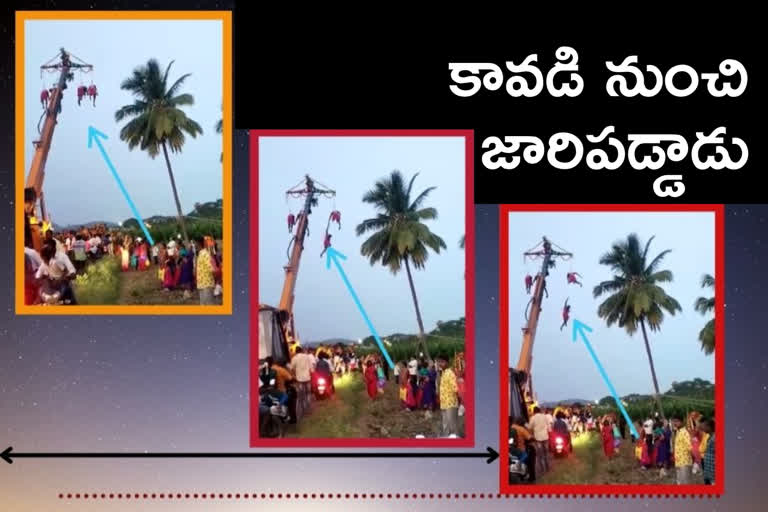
{"x":136,"y":383}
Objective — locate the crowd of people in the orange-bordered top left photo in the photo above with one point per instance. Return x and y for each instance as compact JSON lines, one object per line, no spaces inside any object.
{"x":50,"y":272}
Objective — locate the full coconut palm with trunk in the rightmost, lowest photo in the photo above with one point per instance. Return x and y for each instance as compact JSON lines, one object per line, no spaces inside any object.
{"x":636,"y":297}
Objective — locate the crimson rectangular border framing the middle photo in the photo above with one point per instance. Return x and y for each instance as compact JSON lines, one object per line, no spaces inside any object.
{"x":469,"y":349}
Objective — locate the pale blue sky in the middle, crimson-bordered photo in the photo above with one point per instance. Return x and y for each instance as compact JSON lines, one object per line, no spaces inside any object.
{"x":351,"y":166}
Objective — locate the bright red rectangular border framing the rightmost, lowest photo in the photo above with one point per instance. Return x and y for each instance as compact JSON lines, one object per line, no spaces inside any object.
{"x":504,"y":341}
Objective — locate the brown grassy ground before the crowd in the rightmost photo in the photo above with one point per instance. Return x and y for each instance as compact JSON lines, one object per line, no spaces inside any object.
{"x":588,"y":465}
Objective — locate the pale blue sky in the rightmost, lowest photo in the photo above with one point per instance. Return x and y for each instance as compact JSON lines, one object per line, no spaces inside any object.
{"x":562,"y":369}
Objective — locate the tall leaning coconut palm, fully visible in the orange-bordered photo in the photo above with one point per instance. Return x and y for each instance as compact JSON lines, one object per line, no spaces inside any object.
{"x":157,"y":121}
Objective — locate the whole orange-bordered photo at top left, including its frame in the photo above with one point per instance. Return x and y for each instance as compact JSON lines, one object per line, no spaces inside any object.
{"x":123,"y":167}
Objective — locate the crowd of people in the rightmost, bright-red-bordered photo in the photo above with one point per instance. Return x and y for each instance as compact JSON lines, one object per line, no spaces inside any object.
{"x":688,"y":446}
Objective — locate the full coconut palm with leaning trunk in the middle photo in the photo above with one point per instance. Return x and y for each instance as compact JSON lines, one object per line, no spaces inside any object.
{"x":400,"y":238}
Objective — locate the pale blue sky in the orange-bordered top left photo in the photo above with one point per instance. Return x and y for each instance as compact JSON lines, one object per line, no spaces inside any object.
{"x":78,"y":185}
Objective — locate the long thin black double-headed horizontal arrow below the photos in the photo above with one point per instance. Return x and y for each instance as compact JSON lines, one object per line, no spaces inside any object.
{"x":8,"y":455}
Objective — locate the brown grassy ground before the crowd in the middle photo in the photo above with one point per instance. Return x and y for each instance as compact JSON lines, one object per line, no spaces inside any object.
{"x":351,"y":414}
